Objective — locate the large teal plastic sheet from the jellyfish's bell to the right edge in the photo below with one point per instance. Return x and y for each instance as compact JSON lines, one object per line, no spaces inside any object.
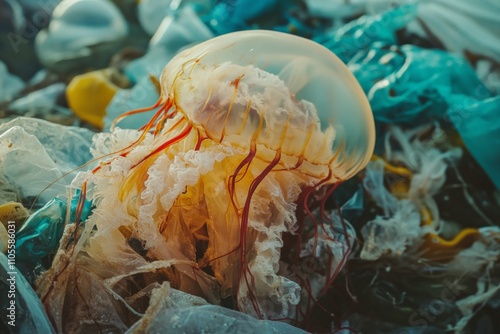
{"x":411,"y":85}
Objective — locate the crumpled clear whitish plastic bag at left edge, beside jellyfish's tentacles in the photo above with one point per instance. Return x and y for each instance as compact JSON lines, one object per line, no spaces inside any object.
{"x":34,"y":153}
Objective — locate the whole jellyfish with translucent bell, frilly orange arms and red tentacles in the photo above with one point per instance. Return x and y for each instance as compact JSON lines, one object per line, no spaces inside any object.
{"x":214,"y":193}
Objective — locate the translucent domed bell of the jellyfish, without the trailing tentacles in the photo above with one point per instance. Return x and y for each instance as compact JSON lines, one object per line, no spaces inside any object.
{"x":310,"y":104}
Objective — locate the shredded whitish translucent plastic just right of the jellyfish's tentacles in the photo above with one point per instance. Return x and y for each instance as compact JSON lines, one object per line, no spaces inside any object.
{"x":399,"y":230}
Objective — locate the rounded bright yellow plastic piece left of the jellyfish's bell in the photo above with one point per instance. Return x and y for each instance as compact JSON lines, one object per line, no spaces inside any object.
{"x":89,"y":94}
